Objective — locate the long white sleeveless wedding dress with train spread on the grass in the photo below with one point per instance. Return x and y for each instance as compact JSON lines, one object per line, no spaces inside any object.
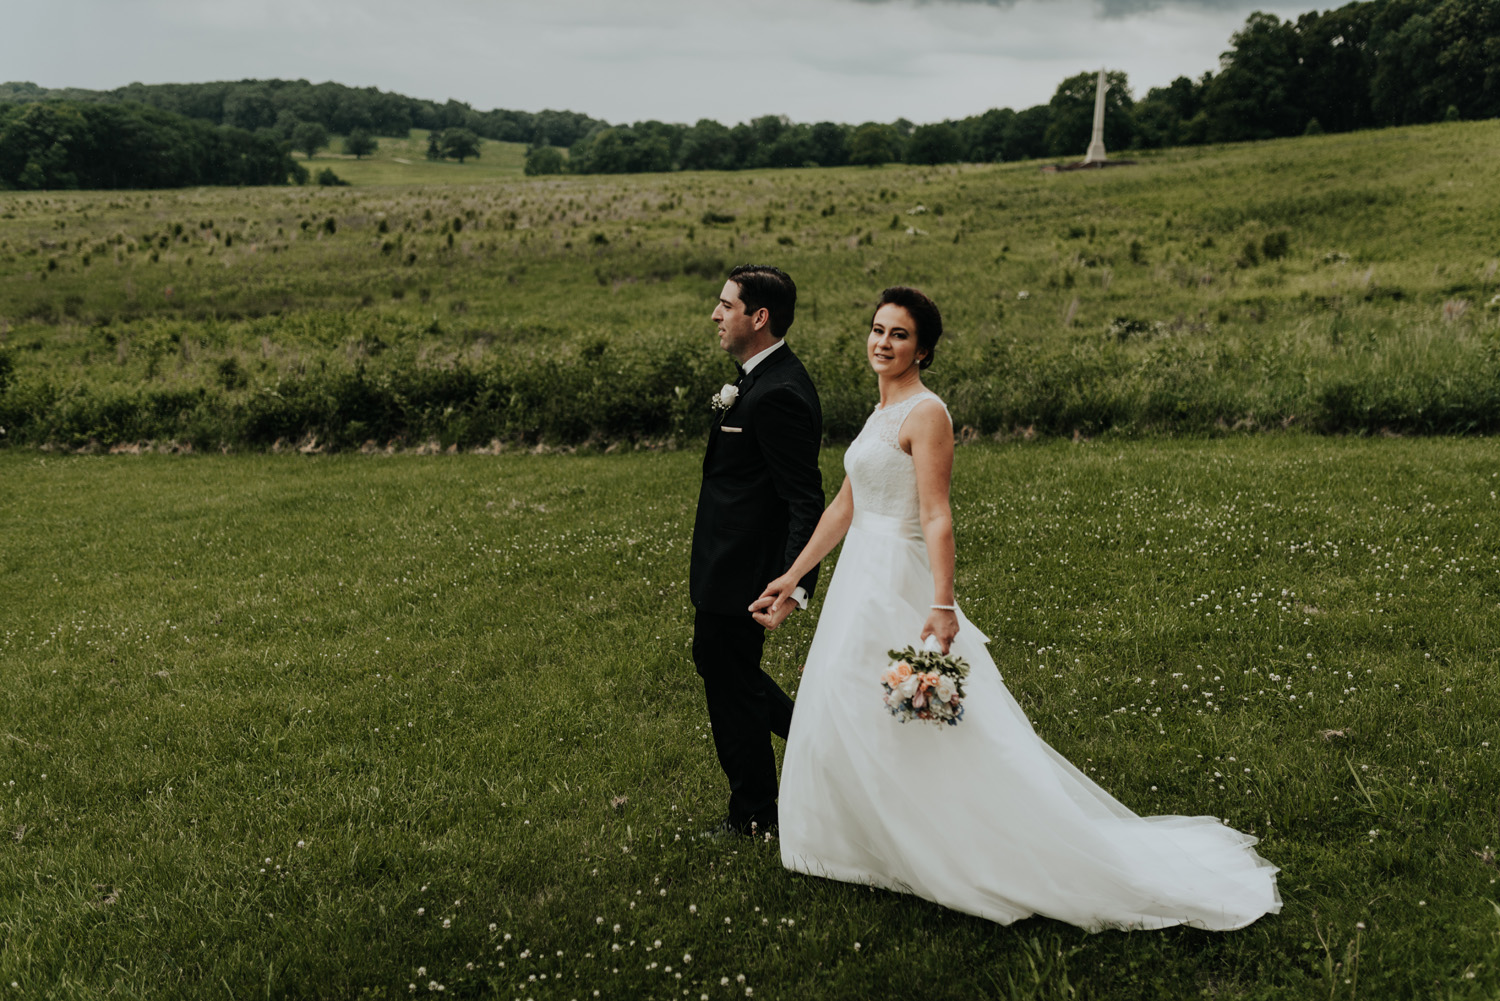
{"x":982,"y":817}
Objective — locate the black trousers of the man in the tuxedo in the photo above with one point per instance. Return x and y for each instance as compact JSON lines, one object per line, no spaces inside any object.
{"x":745,"y":706}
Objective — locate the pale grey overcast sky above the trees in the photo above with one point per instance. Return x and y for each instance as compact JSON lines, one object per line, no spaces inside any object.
{"x":625,"y":61}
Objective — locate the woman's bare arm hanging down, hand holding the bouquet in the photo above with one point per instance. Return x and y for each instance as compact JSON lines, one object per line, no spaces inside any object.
{"x":928,"y":434}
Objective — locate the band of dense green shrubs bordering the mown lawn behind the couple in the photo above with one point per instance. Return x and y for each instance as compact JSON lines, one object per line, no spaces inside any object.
{"x":602,"y":392}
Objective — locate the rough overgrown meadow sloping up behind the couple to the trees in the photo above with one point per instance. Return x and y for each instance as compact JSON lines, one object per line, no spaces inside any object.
{"x":1342,"y":283}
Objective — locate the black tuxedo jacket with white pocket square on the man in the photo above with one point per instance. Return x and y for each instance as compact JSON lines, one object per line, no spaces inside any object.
{"x":763,"y":493}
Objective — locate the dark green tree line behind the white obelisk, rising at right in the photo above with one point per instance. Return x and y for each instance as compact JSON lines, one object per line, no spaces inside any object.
{"x":1366,"y":65}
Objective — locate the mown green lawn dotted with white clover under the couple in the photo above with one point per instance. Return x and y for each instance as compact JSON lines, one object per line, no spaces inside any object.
{"x":404,"y":726}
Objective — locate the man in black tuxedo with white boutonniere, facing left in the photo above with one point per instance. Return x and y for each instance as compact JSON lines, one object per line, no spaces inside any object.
{"x":757,"y":510}
